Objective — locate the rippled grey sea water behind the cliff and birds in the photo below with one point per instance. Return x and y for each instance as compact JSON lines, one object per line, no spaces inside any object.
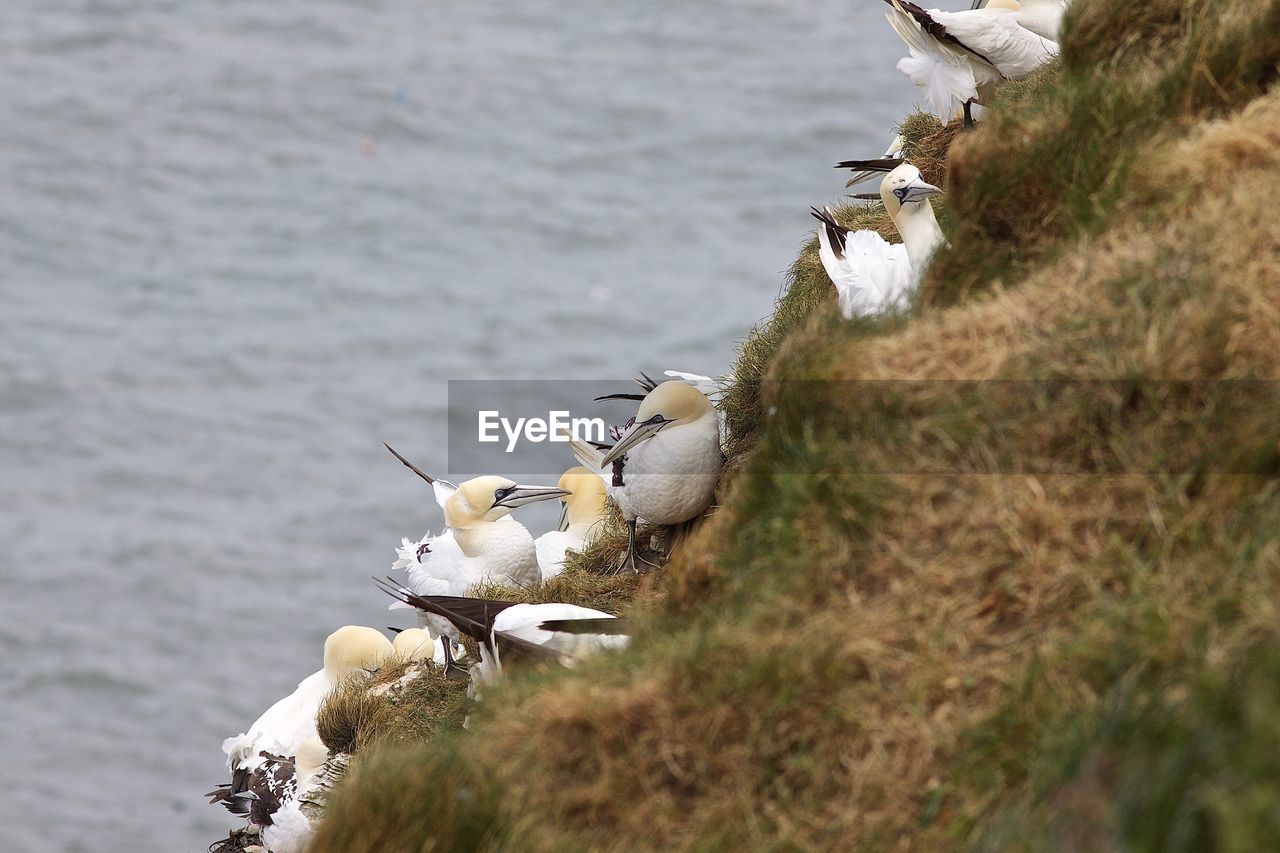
{"x":244,"y":244}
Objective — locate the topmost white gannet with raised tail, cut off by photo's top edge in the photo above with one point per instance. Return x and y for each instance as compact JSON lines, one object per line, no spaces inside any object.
{"x":959,"y":58}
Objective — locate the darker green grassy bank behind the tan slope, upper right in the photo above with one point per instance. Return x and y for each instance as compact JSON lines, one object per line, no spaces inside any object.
{"x":1054,"y":163}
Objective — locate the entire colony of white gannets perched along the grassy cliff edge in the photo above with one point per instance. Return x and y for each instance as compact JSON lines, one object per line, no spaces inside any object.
{"x":662,"y":469}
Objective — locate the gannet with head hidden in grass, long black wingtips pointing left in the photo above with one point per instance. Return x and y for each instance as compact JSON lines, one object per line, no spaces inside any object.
{"x":565,"y":633}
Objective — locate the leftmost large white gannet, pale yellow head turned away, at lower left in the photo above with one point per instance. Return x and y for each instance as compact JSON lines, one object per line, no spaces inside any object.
{"x":291,"y":722}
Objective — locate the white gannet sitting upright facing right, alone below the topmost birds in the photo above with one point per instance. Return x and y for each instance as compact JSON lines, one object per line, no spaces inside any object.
{"x":870,"y":273}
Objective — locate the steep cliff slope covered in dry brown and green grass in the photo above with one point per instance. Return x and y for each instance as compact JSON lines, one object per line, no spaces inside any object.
{"x":931,"y":615}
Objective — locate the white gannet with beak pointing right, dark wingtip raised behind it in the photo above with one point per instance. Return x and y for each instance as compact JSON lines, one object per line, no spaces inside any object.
{"x":482,"y":542}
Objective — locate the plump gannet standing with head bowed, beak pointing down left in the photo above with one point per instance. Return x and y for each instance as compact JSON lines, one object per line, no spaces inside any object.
{"x":671,"y":460}
